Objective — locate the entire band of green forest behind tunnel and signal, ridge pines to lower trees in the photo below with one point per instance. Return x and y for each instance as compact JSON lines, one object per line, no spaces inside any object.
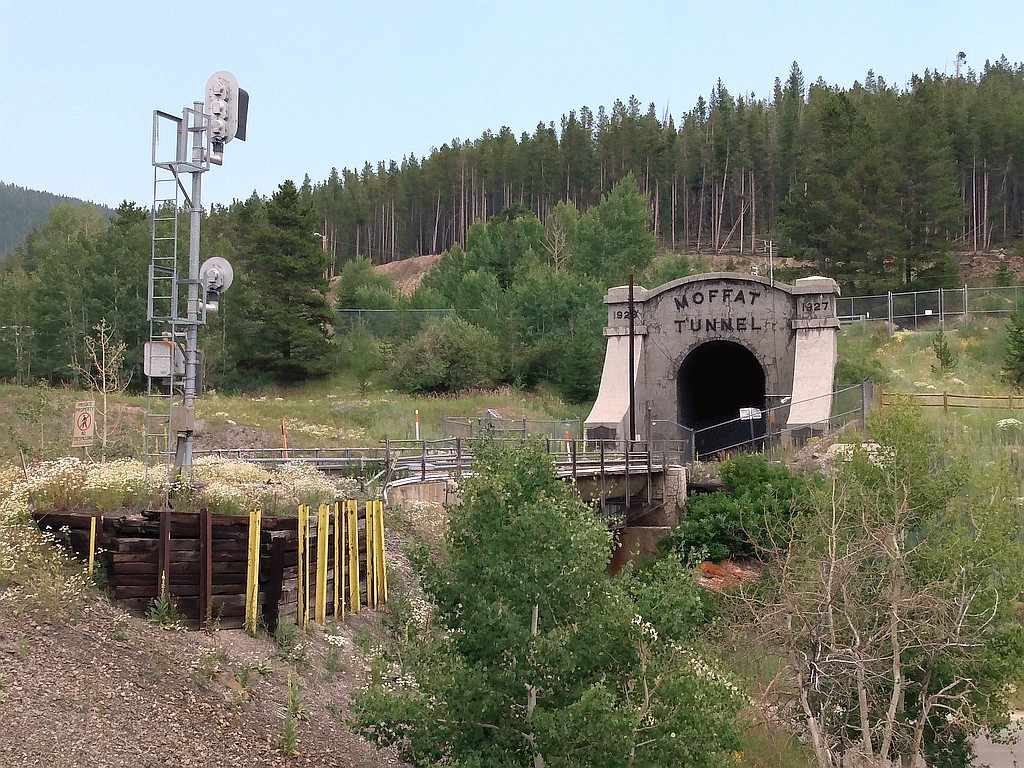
{"x":876,"y":186}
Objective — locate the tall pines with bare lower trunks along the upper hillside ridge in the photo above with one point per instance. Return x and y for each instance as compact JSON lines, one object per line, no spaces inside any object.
{"x":870,"y":182}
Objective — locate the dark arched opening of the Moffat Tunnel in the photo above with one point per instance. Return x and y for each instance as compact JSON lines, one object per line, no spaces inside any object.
{"x":721,"y":397}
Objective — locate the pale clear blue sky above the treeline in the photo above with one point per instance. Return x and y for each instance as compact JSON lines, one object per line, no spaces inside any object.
{"x":336,"y":84}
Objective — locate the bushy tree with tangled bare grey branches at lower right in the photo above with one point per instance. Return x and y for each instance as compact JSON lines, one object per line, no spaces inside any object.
{"x":889,"y":600}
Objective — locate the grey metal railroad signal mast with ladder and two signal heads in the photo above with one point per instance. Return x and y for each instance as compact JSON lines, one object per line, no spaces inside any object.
{"x":179,"y":306}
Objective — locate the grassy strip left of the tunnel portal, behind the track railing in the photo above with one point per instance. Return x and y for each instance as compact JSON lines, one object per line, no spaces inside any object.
{"x":37,"y":421}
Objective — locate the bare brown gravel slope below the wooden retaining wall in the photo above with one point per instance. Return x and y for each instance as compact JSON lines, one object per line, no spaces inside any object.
{"x":110,"y":690}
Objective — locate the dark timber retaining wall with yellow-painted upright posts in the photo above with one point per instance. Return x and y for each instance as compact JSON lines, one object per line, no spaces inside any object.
{"x":202,"y":562}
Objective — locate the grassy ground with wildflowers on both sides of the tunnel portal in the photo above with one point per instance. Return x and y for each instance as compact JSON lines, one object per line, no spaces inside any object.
{"x":37,"y":421}
